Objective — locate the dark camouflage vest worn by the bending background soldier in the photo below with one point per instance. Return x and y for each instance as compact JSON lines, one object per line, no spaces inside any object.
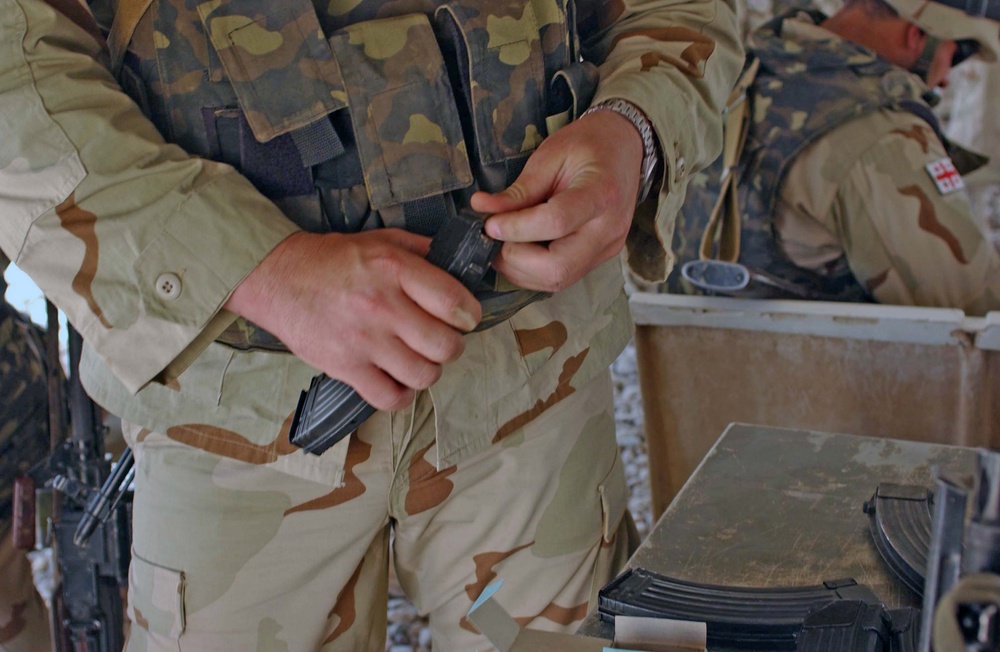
{"x":802,"y":91}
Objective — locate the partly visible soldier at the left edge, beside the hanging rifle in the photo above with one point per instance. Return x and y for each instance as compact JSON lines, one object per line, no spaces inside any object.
{"x":24,"y":440}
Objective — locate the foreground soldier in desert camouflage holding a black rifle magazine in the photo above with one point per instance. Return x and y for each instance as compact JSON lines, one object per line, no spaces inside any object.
{"x":191,"y":283}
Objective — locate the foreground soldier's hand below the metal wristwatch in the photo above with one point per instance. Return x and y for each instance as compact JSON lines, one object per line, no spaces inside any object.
{"x":571,"y":207}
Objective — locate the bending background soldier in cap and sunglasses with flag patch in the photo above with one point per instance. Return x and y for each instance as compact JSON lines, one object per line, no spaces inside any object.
{"x":847,"y":190}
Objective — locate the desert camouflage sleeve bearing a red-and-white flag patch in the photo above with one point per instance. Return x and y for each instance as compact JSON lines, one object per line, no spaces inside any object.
{"x":909,"y":241}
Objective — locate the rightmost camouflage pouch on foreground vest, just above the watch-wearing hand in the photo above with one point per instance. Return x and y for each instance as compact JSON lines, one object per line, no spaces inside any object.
{"x":497,"y":53}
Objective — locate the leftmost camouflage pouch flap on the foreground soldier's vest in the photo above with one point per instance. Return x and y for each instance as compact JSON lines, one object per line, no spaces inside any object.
{"x":278,"y":61}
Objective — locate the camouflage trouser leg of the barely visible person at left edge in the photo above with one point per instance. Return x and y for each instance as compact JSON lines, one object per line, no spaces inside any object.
{"x":24,"y":620}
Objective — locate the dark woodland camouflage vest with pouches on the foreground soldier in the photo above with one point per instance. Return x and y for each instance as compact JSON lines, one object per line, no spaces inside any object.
{"x":360,"y":115}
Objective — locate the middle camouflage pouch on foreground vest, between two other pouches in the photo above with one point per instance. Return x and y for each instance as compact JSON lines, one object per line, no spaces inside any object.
{"x":405,"y":122}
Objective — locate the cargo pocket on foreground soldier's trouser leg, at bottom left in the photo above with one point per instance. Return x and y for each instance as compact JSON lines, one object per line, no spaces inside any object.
{"x":156,"y":598}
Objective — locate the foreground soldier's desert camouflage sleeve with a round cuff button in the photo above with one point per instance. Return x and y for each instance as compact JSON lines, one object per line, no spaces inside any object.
{"x":130,"y":236}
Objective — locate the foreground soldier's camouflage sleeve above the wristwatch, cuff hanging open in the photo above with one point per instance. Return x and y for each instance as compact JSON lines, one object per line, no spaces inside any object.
{"x":676,"y":60}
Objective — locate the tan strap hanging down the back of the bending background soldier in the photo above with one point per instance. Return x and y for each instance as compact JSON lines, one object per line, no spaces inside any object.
{"x":724,"y":222}
